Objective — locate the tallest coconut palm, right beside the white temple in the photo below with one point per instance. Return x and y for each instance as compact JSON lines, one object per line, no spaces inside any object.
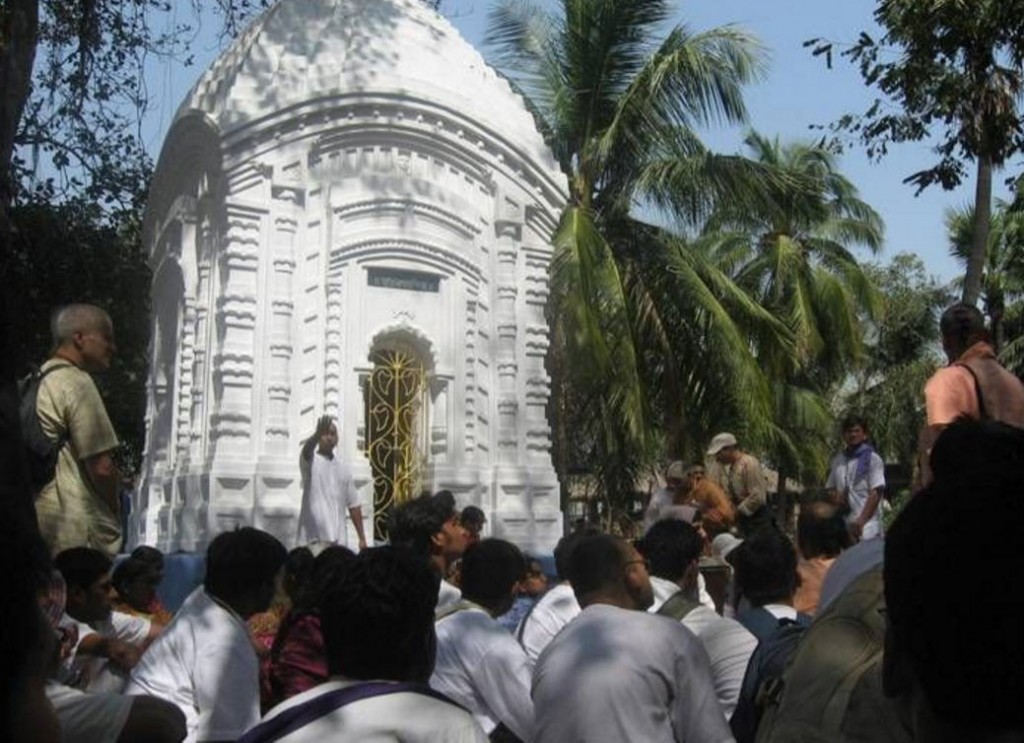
{"x":642,"y":323}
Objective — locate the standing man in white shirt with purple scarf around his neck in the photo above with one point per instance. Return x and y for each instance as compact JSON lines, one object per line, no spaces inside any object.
{"x":857,"y":478}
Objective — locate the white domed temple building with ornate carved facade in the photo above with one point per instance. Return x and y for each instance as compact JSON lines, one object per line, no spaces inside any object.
{"x":349,"y":185}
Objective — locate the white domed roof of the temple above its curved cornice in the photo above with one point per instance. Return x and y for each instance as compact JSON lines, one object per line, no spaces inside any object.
{"x":300,"y":53}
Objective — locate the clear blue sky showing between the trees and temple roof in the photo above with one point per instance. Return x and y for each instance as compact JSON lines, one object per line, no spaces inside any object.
{"x":798,"y":92}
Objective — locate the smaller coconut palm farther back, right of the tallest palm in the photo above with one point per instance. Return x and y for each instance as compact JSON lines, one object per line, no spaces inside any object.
{"x":793,"y":255}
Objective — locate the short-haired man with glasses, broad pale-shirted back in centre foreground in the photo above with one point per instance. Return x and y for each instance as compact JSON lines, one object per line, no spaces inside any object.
{"x":618,"y":674}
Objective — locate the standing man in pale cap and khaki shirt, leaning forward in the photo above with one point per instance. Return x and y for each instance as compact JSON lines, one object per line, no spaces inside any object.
{"x":740,"y":475}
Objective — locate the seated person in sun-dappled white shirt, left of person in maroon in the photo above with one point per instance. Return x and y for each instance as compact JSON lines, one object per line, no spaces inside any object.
{"x":204,"y":662}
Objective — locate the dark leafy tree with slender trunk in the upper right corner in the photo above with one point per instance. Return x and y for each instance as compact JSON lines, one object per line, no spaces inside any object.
{"x":954,"y":71}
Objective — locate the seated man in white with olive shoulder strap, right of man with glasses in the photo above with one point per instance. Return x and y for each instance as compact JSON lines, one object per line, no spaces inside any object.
{"x":674,"y":551}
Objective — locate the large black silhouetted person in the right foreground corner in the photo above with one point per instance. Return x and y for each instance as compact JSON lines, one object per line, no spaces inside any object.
{"x":955,"y":644}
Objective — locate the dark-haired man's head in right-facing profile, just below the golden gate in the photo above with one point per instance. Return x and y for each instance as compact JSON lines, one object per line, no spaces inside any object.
{"x":430,"y":527}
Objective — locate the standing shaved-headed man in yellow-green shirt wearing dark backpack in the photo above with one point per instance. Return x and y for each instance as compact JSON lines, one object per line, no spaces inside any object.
{"x":80,"y":507}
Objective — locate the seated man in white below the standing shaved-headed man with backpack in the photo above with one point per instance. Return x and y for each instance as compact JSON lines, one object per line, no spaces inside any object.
{"x":109,"y":642}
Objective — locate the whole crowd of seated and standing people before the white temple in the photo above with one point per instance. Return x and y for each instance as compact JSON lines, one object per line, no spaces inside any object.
{"x":840,"y":632}
